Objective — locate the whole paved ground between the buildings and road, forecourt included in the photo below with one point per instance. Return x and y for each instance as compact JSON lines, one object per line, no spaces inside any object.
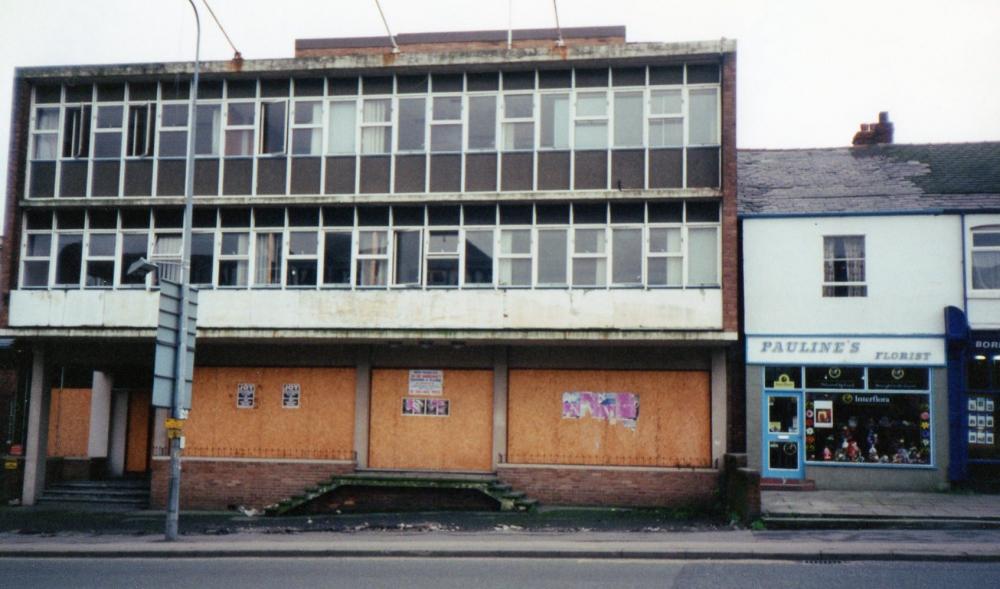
{"x":817,"y":526}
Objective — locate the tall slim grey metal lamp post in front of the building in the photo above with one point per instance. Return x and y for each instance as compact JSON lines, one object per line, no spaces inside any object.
{"x":180,"y":381}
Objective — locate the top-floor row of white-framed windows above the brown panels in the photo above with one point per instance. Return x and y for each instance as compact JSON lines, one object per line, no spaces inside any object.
{"x":577,"y":119}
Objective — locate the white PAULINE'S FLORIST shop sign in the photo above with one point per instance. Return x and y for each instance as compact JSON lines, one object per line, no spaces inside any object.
{"x":871,"y":351}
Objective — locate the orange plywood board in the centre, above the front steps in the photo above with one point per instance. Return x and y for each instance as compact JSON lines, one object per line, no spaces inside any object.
{"x":462,"y":441}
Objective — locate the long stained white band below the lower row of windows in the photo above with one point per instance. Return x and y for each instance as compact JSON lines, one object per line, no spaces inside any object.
{"x":695,"y":309}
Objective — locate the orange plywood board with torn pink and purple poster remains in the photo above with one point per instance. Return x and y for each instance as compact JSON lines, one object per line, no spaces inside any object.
{"x":673,"y":428}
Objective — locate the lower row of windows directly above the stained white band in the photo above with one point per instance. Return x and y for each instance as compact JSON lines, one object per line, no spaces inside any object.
{"x":584,"y":245}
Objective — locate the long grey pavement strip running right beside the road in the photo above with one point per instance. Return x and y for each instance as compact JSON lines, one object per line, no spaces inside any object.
{"x":815,"y":546}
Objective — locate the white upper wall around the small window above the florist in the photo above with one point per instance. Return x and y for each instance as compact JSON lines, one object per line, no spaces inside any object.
{"x":913,"y":269}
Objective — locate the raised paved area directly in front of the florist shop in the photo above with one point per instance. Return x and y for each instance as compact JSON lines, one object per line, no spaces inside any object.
{"x":825,"y":509}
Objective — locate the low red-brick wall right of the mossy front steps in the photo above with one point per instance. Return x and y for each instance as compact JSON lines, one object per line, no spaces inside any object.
{"x":613,"y":486}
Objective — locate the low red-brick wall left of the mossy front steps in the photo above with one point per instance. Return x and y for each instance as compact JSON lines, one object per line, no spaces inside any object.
{"x":219,"y":484}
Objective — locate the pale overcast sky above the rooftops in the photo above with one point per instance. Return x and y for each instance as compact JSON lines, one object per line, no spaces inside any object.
{"x":808,"y":71}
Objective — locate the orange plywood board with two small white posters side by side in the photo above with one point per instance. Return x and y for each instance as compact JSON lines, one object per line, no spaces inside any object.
{"x":321,"y":428}
